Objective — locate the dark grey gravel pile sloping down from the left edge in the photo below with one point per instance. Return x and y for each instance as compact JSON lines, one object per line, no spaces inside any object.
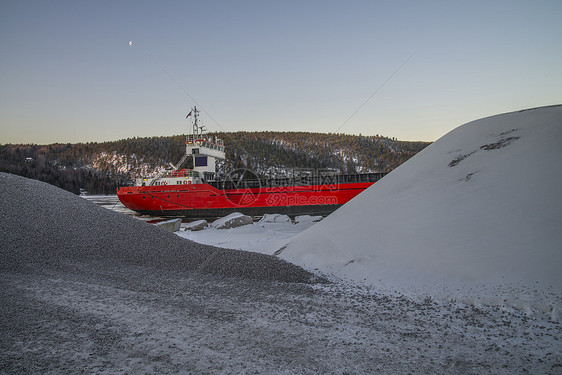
{"x":43,"y":225}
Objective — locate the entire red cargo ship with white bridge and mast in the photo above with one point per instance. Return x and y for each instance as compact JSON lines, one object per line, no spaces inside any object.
{"x":198,"y":193}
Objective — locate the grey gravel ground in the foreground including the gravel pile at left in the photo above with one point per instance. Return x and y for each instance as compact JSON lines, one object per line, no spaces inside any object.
{"x":85,"y":290}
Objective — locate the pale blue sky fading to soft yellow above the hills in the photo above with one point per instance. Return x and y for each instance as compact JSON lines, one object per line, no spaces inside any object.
{"x":68,"y":74}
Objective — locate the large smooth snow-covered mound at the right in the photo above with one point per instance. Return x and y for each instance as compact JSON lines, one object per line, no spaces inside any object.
{"x":479,"y":208}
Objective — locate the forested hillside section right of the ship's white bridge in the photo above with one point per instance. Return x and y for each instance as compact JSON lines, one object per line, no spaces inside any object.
{"x":348,"y":153}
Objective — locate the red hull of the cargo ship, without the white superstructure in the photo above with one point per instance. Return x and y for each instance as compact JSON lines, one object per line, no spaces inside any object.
{"x":207,"y":200}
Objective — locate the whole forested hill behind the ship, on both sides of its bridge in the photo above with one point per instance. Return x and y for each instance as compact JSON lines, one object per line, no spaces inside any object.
{"x":99,"y":168}
